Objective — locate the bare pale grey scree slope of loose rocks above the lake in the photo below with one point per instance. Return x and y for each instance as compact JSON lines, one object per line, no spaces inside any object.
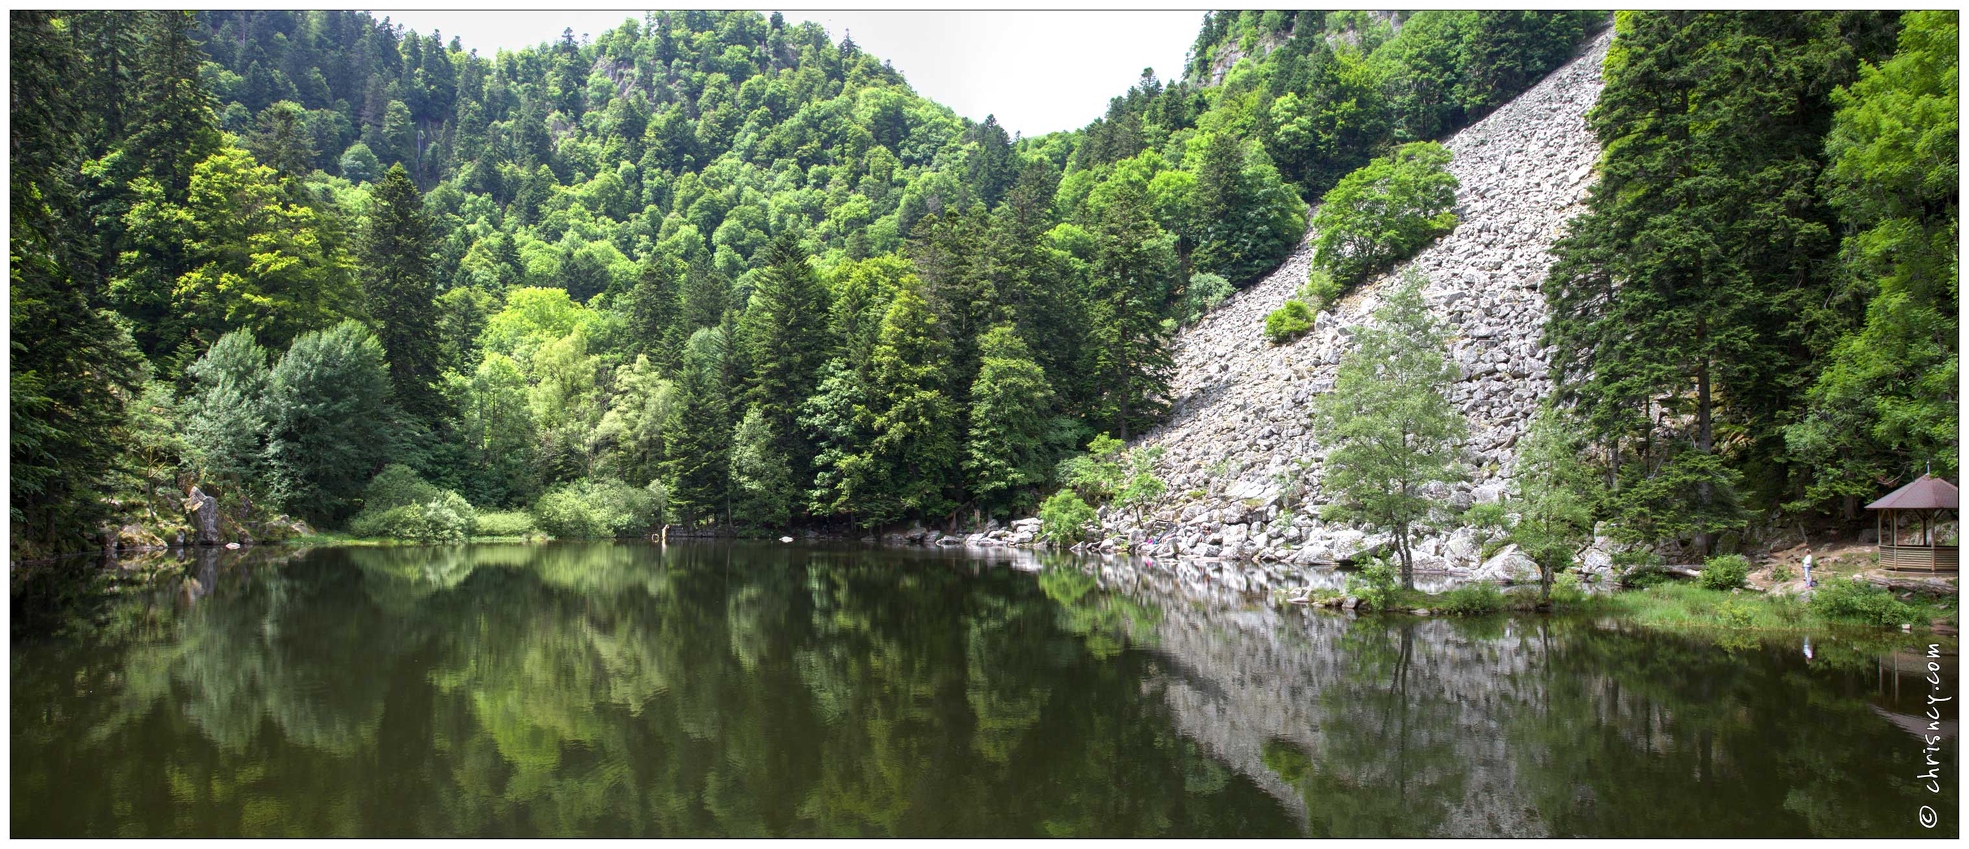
{"x":1241,"y":407}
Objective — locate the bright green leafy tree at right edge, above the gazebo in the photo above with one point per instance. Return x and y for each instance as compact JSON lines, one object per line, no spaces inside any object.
{"x":1885,"y":407}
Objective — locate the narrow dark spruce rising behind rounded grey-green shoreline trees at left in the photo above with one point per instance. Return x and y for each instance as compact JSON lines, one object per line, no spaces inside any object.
{"x":403,"y":293}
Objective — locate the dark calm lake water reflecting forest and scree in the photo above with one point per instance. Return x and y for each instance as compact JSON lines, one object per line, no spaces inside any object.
{"x":777,"y":690}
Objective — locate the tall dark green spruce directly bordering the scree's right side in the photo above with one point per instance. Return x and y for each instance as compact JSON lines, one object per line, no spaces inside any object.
{"x":1677,"y":298}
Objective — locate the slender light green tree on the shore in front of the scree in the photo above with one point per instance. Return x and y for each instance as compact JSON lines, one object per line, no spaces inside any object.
{"x":1389,"y":426}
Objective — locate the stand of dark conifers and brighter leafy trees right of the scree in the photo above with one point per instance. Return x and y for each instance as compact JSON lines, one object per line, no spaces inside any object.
{"x":1759,"y":308}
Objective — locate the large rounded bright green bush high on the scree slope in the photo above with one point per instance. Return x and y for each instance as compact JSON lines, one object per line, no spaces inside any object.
{"x":1385,"y":212}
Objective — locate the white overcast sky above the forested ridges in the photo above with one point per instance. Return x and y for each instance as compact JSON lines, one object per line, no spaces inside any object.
{"x":1039,"y":72}
